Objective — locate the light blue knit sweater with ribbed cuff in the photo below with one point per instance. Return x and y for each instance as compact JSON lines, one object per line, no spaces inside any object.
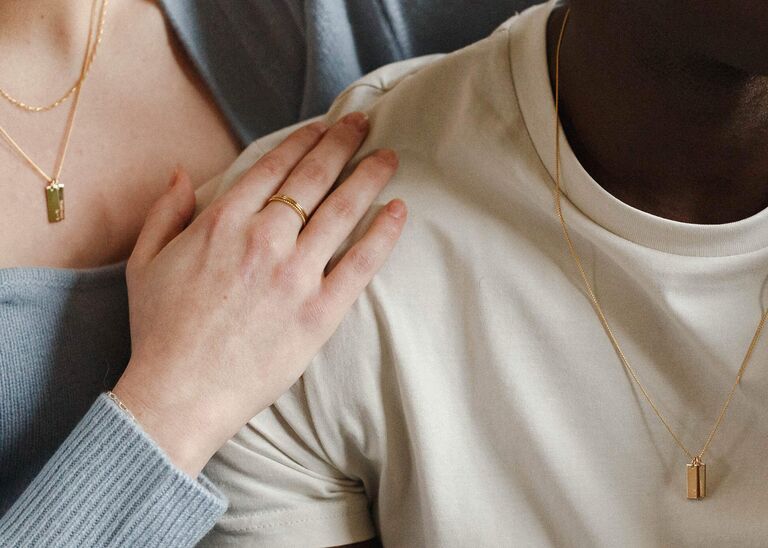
{"x":74,"y":469}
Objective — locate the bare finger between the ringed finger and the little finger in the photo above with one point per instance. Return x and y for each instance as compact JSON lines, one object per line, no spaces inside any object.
{"x":340,"y":212}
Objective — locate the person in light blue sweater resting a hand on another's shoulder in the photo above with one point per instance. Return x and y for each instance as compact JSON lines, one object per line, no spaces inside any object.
{"x":195,"y":312}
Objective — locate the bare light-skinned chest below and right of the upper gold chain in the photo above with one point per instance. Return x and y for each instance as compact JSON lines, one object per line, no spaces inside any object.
{"x":142,"y":112}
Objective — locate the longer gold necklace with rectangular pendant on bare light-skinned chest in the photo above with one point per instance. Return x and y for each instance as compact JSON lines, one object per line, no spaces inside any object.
{"x":54,"y":190}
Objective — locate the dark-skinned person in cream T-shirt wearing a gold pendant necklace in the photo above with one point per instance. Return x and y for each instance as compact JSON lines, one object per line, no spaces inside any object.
{"x":566,"y":347}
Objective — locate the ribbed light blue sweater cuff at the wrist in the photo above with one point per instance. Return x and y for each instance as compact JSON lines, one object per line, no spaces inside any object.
{"x":110,"y":484}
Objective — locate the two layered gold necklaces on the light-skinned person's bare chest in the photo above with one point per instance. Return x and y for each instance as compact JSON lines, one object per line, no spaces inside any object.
{"x":54,"y":189}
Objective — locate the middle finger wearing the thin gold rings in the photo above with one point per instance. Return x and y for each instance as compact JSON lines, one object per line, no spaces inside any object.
{"x":315,"y":174}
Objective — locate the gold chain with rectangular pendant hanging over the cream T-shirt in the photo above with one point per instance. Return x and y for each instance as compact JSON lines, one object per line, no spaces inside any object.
{"x":695,"y":469}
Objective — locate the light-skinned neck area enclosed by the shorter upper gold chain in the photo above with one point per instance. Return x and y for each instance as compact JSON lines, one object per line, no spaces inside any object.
{"x":42,"y":41}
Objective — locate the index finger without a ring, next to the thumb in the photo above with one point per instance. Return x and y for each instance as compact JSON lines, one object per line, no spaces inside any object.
{"x":257,"y":184}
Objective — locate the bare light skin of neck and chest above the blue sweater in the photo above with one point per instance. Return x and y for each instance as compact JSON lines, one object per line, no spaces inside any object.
{"x":142,"y":112}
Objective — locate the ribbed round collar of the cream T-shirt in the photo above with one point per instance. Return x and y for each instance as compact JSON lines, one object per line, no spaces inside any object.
{"x":530,"y":74}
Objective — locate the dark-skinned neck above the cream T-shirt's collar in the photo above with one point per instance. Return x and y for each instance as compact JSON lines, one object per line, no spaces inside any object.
{"x":663,"y":129}
